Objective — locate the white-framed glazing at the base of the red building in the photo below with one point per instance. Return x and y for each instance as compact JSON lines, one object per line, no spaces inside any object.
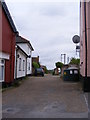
{"x":2,"y":71}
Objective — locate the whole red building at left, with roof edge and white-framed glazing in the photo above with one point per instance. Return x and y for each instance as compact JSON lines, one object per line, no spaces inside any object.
{"x":7,"y":48}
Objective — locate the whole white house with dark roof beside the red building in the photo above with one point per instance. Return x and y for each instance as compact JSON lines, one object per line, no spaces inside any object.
{"x":23,"y":59}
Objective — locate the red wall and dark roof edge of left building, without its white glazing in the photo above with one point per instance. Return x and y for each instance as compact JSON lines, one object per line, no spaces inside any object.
{"x":8,"y":43}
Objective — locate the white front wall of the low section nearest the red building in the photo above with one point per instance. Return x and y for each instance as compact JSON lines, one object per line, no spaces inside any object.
{"x":20,"y":63}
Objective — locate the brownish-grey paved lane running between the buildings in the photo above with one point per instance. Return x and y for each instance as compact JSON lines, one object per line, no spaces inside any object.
{"x":45,"y":97}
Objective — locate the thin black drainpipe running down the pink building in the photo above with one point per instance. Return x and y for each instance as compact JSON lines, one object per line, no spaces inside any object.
{"x":85,"y":44}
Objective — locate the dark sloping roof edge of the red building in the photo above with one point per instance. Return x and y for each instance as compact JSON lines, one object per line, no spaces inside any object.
{"x":7,"y":13}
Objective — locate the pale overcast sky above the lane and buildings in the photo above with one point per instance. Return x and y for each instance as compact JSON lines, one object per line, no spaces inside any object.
{"x":49,"y":26}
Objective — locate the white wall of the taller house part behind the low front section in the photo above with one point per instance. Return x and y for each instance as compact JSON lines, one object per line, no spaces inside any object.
{"x":26,"y":48}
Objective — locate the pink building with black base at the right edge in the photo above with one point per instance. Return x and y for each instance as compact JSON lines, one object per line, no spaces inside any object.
{"x":85,"y":44}
